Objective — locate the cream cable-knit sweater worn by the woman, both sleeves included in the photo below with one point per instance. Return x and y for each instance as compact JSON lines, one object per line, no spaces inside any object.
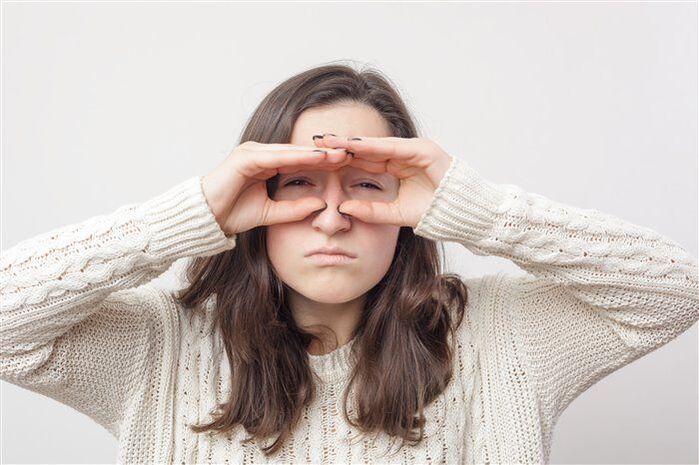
{"x":80,"y":323}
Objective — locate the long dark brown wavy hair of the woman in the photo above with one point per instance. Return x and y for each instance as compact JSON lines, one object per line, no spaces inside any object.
{"x":403,"y":357}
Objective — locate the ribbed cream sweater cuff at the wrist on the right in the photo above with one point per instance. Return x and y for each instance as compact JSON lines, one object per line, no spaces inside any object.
{"x":464,"y":206}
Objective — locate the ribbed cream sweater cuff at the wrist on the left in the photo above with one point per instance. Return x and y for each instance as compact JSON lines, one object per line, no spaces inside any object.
{"x":182,"y":224}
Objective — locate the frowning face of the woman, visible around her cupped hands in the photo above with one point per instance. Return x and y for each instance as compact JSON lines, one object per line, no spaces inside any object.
{"x":373,"y":245}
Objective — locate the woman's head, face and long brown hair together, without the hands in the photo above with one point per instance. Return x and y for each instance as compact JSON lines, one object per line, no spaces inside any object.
{"x":403,"y":358}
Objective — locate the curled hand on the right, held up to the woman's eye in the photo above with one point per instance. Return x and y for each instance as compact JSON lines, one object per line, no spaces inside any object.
{"x":418,"y":163}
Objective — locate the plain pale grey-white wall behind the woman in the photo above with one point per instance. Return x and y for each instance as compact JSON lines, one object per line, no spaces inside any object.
{"x":590,"y":104}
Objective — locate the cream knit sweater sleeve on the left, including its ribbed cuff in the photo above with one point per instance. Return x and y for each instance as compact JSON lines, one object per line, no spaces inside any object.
{"x":76,"y":324}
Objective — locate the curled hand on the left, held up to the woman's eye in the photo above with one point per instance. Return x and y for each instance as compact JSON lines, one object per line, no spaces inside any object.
{"x":236,"y":190}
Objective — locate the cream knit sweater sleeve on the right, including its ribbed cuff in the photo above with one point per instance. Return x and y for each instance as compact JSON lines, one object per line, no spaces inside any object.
{"x":599,"y":292}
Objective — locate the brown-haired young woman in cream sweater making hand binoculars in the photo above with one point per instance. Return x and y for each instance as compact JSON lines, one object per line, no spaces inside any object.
{"x":315,"y":326}
